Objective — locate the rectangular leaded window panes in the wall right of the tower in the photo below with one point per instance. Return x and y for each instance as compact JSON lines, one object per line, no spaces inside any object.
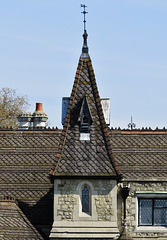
{"x":152,"y":212}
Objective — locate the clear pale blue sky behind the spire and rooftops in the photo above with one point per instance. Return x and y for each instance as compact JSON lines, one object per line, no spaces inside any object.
{"x":41,"y":41}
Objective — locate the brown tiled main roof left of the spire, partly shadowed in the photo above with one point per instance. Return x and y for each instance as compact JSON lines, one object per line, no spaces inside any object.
{"x":25,"y":161}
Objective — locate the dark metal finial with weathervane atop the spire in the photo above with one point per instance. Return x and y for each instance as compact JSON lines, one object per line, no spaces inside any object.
{"x":85,"y":53}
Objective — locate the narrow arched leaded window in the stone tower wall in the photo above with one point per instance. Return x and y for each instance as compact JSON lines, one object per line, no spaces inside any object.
{"x":86,"y":199}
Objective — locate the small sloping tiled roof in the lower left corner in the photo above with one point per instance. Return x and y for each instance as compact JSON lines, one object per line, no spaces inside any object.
{"x":14,"y":224}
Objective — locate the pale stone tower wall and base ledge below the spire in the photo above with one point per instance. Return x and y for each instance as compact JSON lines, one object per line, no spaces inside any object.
{"x":70,"y":221}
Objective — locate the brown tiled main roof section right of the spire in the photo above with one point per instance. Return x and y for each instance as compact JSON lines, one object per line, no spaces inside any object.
{"x":141,"y":154}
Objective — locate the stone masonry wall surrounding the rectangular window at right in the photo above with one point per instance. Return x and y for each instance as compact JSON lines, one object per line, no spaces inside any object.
{"x":144,"y":190}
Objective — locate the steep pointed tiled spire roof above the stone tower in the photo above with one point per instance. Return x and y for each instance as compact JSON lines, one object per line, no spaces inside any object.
{"x":92,"y":157}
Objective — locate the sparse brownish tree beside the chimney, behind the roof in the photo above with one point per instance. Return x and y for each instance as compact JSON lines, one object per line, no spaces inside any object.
{"x":11,"y":105}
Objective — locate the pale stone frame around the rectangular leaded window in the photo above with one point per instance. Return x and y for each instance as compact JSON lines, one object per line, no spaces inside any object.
{"x":149,"y":195}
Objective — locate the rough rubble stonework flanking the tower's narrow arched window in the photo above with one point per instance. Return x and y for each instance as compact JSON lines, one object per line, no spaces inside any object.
{"x":68,"y":194}
